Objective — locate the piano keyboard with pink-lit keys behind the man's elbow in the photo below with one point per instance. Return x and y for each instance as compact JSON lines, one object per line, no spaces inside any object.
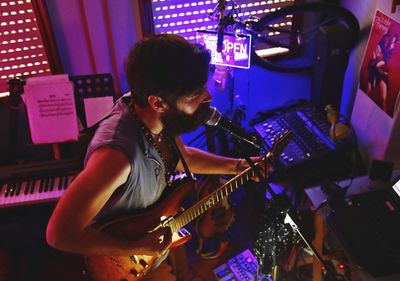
{"x":29,"y":184}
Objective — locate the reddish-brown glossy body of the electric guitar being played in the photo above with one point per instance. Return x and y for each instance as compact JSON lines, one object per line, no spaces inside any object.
{"x":133,"y":227}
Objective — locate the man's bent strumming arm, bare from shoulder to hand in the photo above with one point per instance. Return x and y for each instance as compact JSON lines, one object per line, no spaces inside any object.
{"x":69,"y":226}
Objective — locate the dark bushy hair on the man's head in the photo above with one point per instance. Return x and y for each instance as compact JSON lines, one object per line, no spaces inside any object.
{"x":167,"y":66}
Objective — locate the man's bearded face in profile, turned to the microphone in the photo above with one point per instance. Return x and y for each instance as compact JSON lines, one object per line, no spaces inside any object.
{"x":188,"y":114}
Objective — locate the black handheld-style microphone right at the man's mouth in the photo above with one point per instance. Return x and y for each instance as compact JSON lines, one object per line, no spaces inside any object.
{"x":215,"y":118}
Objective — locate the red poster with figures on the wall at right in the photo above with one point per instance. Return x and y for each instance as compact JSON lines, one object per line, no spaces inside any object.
{"x":380,"y":68}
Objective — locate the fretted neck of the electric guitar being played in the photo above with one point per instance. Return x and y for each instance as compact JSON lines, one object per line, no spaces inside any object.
{"x":209,"y":201}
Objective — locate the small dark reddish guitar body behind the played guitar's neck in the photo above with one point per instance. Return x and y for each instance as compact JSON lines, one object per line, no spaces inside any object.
{"x":218,"y":218}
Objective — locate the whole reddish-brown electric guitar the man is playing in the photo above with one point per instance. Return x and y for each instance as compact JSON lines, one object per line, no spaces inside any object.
{"x":165,"y":212}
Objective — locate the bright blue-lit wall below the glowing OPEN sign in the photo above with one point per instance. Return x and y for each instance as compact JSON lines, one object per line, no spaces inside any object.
{"x":258,"y":89}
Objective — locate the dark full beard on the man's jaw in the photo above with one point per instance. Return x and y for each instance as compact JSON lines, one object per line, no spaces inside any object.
{"x":177,"y":122}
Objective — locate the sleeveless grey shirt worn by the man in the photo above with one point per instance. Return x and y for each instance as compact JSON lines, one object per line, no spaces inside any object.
{"x":146,"y":180}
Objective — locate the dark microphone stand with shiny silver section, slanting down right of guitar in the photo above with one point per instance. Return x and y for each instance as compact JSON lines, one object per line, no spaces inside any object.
{"x":283,"y":208}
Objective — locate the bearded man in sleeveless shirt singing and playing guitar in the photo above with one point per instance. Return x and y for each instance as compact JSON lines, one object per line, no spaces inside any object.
{"x":131,"y":159}
